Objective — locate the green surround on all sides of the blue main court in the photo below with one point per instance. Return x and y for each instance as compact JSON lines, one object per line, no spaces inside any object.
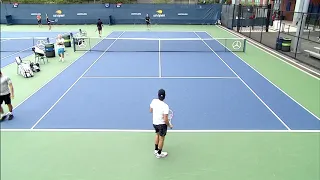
{"x":96,"y":155}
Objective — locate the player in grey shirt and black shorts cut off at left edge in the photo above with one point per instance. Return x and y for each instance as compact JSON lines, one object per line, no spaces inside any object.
{"x":6,"y":94}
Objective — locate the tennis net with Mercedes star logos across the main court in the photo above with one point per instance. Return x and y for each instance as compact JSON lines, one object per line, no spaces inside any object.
{"x":159,"y":45}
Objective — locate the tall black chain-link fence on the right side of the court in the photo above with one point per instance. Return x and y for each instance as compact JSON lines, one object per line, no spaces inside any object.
{"x":280,"y":30}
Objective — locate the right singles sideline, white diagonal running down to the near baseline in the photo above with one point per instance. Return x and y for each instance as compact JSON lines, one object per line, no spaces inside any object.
{"x":247,"y":86}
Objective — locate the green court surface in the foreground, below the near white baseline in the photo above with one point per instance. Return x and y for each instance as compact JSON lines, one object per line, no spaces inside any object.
{"x":123,"y":155}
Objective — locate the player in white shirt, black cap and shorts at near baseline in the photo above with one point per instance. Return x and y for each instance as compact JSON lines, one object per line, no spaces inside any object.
{"x":160,"y":111}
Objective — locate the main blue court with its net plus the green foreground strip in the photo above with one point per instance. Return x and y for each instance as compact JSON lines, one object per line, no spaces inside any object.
{"x":92,"y":120}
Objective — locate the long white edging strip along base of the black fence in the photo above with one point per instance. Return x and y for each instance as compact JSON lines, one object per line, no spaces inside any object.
{"x":261,"y":47}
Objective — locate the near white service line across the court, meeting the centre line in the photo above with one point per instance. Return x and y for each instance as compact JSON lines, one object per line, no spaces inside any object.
{"x":155,"y":77}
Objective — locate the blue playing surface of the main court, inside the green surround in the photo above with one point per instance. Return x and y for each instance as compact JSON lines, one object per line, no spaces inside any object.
{"x":206,"y":91}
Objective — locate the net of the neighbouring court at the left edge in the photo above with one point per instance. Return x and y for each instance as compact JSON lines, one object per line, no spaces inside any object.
{"x":21,"y":44}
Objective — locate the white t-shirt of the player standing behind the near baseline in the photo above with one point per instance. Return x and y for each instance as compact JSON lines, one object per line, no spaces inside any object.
{"x":159,"y":109}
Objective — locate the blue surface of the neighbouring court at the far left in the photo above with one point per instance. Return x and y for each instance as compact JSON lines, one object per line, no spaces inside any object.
{"x":15,"y":44}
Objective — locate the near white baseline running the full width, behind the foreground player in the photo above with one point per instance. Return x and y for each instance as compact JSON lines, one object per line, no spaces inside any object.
{"x":152,"y":131}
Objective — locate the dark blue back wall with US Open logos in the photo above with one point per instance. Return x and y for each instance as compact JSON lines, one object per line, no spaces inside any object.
{"x":126,"y":14}
